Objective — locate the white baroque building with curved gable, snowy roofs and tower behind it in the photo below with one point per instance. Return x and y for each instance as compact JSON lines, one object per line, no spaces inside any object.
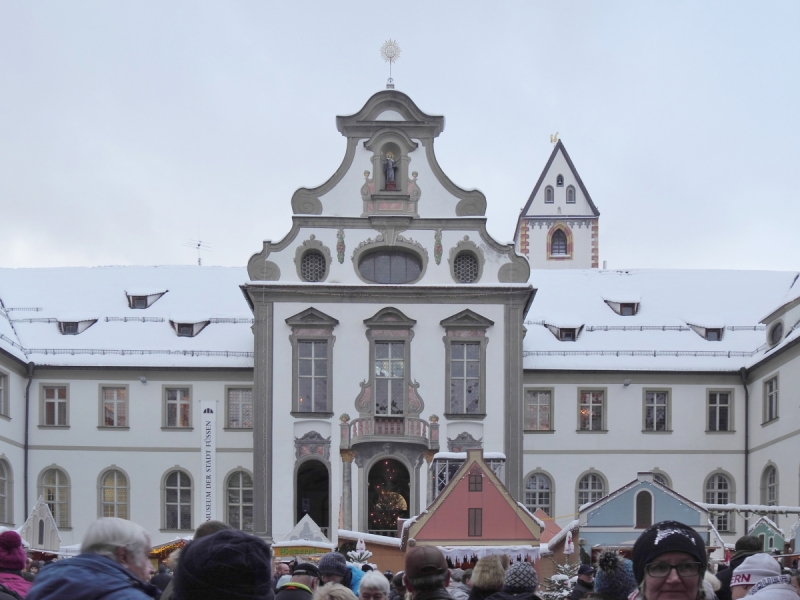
{"x":343,"y":373}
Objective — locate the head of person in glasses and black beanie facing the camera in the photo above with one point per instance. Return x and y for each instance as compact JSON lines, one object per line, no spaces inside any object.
{"x":669,"y":561}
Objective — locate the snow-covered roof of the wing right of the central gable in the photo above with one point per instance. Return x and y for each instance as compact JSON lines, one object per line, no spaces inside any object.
{"x":659,"y":335}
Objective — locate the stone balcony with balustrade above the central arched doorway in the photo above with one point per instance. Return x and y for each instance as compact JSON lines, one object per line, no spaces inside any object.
{"x":390,"y":429}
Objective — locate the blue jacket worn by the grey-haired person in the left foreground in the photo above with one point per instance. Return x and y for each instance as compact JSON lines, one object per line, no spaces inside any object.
{"x":89,"y":577}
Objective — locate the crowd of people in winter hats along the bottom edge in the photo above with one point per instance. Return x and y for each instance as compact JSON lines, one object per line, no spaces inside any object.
{"x":669,"y":562}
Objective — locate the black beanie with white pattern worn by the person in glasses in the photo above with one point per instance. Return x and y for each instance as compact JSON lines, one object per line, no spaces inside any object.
{"x":663,"y":537}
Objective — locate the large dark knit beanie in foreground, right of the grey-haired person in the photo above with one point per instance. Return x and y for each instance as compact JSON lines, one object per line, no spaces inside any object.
{"x":227,"y":565}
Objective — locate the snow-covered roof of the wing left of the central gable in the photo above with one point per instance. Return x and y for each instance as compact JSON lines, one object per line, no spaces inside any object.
{"x":35,"y":300}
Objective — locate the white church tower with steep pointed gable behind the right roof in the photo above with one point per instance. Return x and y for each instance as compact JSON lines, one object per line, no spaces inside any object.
{"x":558,"y":228}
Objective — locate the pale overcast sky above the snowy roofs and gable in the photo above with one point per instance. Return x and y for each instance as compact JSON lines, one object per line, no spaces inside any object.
{"x":129,"y":128}
